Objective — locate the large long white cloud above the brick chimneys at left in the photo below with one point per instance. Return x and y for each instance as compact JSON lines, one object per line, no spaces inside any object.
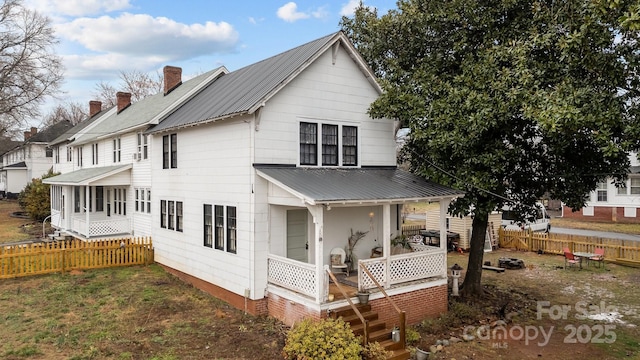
{"x":131,"y":39}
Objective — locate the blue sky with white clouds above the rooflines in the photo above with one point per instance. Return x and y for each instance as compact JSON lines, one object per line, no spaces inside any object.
{"x":101,"y":38}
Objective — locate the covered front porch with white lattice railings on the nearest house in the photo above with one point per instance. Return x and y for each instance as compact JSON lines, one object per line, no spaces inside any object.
{"x":313,"y":211}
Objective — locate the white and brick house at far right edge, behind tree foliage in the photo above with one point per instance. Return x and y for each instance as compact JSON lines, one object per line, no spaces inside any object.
{"x":611,"y":203}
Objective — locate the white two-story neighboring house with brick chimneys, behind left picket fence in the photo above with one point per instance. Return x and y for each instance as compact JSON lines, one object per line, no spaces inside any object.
{"x":105,"y":184}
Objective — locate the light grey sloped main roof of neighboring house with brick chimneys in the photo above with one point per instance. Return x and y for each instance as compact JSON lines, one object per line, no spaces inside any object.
{"x":144,"y":111}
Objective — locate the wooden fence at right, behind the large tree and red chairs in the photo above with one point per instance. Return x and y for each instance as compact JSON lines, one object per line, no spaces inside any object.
{"x":616,"y":250}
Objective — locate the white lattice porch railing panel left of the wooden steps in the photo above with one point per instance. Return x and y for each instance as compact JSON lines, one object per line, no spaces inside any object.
{"x":293,"y":275}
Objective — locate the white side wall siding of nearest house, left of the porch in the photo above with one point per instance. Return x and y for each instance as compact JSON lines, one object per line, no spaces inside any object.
{"x":214,"y":168}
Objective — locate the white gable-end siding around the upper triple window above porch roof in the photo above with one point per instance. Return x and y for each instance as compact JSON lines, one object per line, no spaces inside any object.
{"x":324,"y":93}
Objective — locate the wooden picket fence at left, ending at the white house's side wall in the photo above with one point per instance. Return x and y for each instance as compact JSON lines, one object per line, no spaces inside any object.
{"x":67,"y":255}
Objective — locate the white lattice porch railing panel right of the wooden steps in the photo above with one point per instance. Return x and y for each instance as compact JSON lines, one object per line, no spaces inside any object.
{"x":424,"y":264}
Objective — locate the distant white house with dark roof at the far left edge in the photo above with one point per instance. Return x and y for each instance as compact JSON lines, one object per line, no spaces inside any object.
{"x":30,"y":159}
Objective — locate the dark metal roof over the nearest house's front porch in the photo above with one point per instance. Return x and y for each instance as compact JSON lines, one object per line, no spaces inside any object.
{"x":346,"y":185}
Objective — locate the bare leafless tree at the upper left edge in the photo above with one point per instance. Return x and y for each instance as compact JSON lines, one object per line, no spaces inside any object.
{"x":29,"y":68}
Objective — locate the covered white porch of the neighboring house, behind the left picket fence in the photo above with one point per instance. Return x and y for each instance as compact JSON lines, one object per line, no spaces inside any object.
{"x":92,"y":203}
